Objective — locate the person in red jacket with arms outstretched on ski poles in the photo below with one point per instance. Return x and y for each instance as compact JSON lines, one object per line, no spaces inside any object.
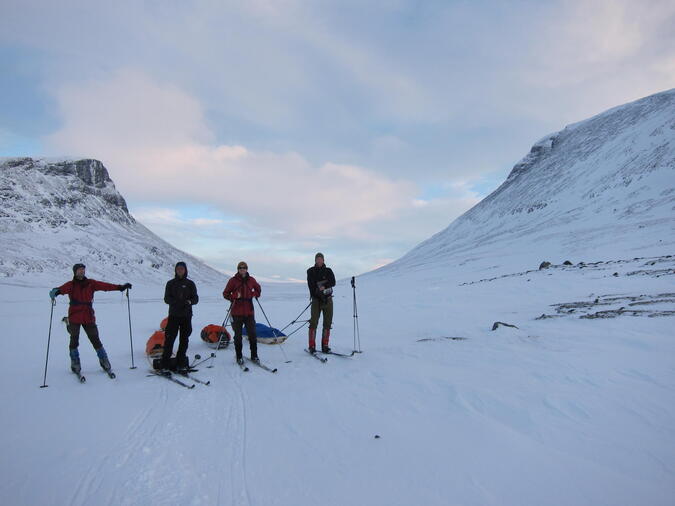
{"x":81,"y":313}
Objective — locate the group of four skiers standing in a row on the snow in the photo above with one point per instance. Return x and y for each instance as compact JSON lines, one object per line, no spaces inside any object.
{"x":181,"y":294}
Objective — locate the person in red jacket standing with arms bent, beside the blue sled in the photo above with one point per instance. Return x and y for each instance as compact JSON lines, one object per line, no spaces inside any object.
{"x":240,"y":290}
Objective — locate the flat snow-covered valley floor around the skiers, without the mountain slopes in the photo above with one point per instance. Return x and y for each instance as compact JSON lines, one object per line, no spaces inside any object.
{"x":559,"y":411}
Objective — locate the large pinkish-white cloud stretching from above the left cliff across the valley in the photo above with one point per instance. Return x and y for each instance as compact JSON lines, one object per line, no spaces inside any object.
{"x":157,"y":133}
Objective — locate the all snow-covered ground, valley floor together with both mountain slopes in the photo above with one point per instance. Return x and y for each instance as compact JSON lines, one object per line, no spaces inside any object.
{"x":572,"y":404}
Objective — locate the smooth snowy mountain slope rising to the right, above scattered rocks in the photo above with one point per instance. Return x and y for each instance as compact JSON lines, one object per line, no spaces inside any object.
{"x":603,"y":188}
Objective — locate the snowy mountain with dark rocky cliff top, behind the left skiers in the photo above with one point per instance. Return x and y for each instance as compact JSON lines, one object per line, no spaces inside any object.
{"x":57,"y":213}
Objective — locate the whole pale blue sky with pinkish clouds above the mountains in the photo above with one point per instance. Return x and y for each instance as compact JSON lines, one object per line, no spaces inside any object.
{"x":268,"y":130}
